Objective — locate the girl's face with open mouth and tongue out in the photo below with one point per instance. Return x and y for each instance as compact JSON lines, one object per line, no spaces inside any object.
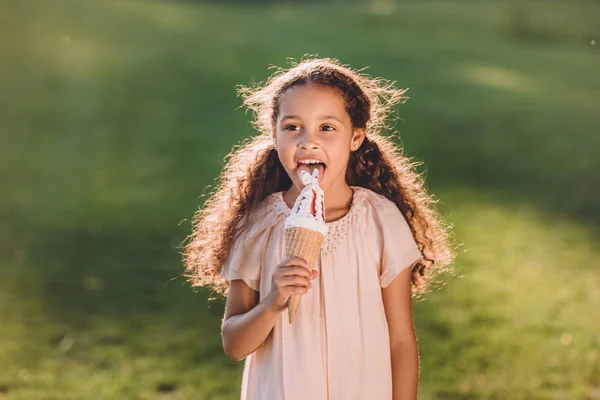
{"x":313,"y":124}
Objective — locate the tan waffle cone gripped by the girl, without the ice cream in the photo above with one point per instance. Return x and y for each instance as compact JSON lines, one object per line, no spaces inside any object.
{"x":305,"y":244}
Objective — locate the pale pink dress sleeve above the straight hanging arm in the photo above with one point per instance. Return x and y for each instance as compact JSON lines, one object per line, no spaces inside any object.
{"x":398,"y":247}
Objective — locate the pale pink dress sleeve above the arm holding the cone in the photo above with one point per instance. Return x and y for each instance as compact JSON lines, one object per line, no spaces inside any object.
{"x":246,"y":255}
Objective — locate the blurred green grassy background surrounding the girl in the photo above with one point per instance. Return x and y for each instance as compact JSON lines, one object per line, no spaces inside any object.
{"x":116,"y":115}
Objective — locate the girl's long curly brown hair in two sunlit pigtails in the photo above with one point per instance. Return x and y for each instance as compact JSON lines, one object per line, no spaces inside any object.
{"x":253,"y":172}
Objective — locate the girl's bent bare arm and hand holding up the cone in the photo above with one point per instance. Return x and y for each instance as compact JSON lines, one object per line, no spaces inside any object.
{"x":248,"y":322}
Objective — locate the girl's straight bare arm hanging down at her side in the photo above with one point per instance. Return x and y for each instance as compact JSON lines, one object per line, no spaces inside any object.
{"x":403,"y":341}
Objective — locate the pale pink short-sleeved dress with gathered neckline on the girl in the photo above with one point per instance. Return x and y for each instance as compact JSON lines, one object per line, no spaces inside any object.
{"x":338,"y":346}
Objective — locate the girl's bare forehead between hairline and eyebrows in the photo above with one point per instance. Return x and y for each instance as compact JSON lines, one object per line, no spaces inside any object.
{"x":311,"y":100}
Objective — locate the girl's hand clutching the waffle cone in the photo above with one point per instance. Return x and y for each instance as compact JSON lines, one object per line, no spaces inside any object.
{"x":291,"y":277}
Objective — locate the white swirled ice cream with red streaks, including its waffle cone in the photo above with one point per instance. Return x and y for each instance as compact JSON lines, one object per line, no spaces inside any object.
{"x":305,"y":228}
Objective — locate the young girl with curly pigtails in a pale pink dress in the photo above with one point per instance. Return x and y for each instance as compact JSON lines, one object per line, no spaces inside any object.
{"x":353,"y":335}
